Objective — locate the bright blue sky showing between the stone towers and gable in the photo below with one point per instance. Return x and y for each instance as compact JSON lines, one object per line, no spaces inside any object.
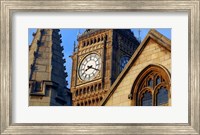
{"x":70,"y":35}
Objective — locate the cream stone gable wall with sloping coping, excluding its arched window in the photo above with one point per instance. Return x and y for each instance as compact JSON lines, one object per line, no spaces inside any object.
{"x":155,"y":49}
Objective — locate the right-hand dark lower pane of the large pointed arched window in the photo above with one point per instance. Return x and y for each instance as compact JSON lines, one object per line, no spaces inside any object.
{"x":162,"y":96}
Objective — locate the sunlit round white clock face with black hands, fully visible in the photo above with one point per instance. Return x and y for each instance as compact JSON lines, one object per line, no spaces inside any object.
{"x":90,"y":67}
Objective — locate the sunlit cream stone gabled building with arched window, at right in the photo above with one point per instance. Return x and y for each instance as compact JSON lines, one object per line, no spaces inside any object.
{"x":146,"y":79}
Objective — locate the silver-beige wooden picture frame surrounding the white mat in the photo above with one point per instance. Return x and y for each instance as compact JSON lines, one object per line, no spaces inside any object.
{"x":8,"y":7}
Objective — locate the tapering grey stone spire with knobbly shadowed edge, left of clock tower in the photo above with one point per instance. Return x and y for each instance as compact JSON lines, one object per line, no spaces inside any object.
{"x":47,"y":76}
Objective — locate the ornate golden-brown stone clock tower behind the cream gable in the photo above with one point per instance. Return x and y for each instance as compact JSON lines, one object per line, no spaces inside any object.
{"x":100,"y":56}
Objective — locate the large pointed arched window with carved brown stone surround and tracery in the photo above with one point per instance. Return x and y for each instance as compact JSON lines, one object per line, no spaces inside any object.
{"x":152,"y":87}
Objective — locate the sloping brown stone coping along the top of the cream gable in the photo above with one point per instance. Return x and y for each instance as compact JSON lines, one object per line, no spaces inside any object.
{"x":157,"y":37}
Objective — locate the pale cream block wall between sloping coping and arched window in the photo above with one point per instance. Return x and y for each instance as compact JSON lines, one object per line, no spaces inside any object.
{"x":153,"y":53}
